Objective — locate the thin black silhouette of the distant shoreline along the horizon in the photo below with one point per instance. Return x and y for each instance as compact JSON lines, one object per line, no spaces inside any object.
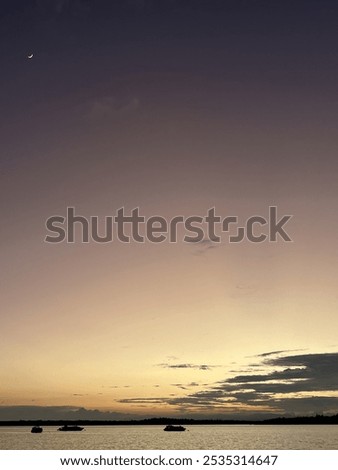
{"x":318,"y":419}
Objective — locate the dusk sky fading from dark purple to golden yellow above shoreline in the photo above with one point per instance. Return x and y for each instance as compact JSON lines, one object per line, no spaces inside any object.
{"x":173,"y":107}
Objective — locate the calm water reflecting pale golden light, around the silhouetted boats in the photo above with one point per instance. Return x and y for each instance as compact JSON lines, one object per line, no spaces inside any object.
{"x":153,"y":437}
